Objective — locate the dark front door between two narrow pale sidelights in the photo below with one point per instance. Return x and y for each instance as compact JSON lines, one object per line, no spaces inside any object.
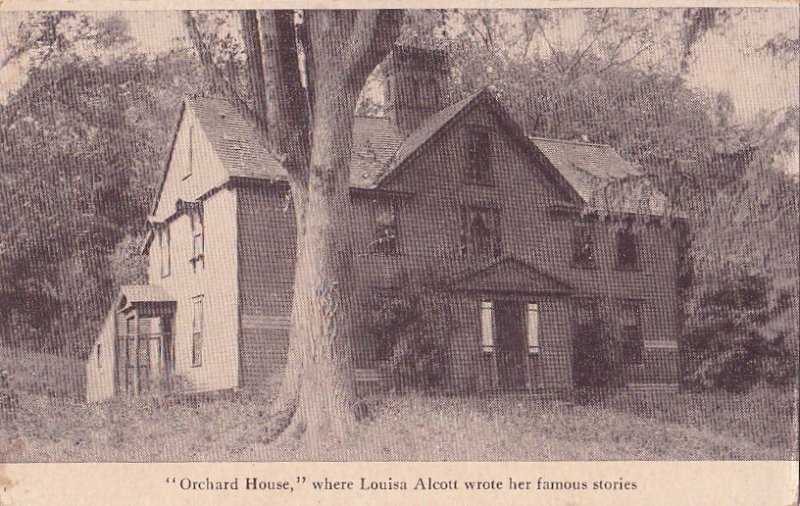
{"x":510,"y":345}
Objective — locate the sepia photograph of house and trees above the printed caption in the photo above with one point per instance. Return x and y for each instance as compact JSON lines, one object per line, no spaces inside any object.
{"x":421,"y":235}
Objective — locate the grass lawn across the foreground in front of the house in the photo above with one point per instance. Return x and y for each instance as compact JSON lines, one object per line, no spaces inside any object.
{"x":677,"y":427}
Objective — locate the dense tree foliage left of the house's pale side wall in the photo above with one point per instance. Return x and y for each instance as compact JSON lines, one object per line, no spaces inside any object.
{"x":82,"y":141}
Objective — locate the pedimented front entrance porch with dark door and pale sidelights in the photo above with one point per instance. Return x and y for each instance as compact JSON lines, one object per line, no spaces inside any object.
{"x":516,"y":321}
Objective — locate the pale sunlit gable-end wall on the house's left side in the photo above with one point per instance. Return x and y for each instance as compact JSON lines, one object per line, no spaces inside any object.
{"x":217,"y":282}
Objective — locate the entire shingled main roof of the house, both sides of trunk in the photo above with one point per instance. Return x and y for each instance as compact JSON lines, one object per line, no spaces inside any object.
{"x":580,"y":170}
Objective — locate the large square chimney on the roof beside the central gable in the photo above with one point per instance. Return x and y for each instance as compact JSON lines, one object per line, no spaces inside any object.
{"x":415,"y":85}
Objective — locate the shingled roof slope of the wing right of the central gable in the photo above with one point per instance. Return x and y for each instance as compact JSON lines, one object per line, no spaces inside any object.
{"x":603,"y":178}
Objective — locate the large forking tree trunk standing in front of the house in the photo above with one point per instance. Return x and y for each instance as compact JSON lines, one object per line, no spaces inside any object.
{"x":310,"y":129}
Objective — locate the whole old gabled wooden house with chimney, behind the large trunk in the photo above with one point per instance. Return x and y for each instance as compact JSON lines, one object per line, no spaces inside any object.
{"x":562,"y":262}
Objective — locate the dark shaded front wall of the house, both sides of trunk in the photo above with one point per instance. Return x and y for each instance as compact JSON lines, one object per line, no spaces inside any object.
{"x":429,"y":223}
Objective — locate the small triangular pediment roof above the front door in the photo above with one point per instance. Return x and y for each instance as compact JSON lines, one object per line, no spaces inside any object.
{"x":508,"y":274}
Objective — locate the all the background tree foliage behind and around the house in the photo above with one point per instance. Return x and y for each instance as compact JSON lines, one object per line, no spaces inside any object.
{"x":84,"y":132}
